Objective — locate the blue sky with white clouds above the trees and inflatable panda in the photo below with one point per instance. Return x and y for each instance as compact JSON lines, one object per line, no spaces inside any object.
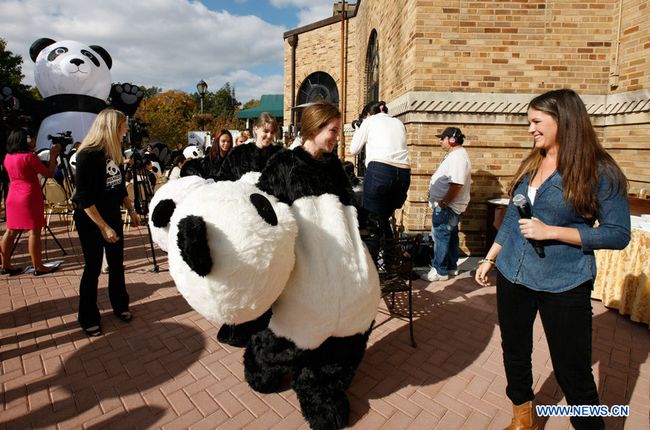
{"x":170,"y":44}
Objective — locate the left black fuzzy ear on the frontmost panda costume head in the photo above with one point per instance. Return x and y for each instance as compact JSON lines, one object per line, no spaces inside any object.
{"x":193,"y":244}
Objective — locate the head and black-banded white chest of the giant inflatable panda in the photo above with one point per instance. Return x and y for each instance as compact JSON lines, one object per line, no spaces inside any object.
{"x":75,"y":82}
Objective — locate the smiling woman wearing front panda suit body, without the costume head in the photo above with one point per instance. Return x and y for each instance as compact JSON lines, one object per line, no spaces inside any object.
{"x":323,"y":291}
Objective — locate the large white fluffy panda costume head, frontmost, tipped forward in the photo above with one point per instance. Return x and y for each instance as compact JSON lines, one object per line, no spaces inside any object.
{"x":231,"y":250}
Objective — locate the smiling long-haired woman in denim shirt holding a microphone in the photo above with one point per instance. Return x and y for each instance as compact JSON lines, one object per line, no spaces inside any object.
{"x":570,"y":182}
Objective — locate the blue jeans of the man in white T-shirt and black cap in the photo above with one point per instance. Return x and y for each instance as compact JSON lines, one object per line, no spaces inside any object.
{"x":444,"y":226}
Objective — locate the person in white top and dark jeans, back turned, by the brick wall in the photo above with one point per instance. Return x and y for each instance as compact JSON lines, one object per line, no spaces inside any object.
{"x":388,"y":171}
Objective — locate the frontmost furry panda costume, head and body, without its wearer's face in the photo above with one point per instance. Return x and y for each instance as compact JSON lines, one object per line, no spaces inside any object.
{"x":291,"y":243}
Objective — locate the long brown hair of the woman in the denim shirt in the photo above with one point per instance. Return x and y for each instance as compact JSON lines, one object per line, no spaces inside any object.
{"x":581,"y":158}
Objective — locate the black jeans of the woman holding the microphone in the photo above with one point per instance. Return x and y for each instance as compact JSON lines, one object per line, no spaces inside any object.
{"x":566,"y":318}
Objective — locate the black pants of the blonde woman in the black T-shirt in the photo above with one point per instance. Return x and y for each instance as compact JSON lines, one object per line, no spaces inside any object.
{"x":93,"y":245}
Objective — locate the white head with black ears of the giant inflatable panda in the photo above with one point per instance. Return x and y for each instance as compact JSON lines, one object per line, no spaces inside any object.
{"x":70,"y":67}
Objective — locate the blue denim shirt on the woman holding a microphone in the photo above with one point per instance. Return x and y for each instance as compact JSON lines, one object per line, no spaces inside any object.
{"x":564,"y":266}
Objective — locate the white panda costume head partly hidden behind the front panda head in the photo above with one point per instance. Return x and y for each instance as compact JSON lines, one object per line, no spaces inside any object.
{"x":164,"y":202}
